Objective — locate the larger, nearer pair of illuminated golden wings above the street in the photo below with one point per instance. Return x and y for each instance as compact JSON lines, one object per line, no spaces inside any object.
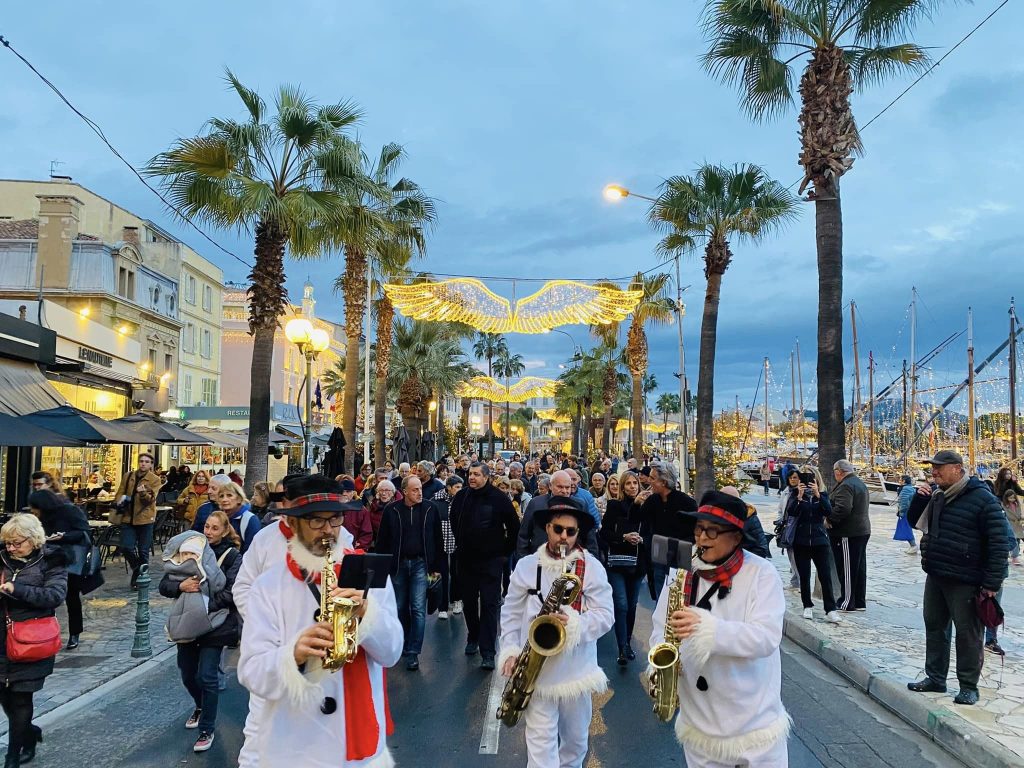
{"x":561,"y":303}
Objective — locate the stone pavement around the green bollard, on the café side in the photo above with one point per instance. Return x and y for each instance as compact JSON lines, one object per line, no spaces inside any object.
{"x":106,"y":646}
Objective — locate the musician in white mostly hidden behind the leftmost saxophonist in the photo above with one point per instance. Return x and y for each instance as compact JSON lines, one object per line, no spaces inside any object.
{"x":270,"y":548}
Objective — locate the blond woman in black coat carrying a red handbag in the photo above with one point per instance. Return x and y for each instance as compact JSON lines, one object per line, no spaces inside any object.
{"x":33,"y":584}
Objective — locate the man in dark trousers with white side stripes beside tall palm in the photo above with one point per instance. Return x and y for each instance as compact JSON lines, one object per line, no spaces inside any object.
{"x":850,"y":529}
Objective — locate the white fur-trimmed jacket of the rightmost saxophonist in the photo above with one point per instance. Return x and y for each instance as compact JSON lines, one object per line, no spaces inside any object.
{"x":736,"y":651}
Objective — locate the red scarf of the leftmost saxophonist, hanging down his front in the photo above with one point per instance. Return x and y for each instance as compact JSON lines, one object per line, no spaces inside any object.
{"x":362,"y":729}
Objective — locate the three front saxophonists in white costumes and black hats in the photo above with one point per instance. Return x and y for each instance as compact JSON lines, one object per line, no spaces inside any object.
{"x":729,"y":627}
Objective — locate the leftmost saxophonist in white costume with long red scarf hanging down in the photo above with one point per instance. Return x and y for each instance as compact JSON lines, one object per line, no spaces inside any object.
{"x":327,"y":719}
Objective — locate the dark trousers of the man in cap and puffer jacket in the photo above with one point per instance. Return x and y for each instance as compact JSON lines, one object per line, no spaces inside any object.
{"x":946,"y":602}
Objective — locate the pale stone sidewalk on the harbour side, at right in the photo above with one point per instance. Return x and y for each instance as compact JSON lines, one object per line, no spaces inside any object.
{"x":883,"y":650}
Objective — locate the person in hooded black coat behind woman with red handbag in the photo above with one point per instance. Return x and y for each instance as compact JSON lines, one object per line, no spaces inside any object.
{"x":67,"y":527}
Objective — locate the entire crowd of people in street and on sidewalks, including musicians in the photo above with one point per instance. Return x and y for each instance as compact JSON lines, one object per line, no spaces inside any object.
{"x":487,"y":540}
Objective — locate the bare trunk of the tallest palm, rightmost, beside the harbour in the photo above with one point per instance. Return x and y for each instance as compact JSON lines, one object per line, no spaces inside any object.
{"x":832,"y":431}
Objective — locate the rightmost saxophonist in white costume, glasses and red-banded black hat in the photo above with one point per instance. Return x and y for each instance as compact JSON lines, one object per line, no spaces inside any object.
{"x":731,"y":629}
